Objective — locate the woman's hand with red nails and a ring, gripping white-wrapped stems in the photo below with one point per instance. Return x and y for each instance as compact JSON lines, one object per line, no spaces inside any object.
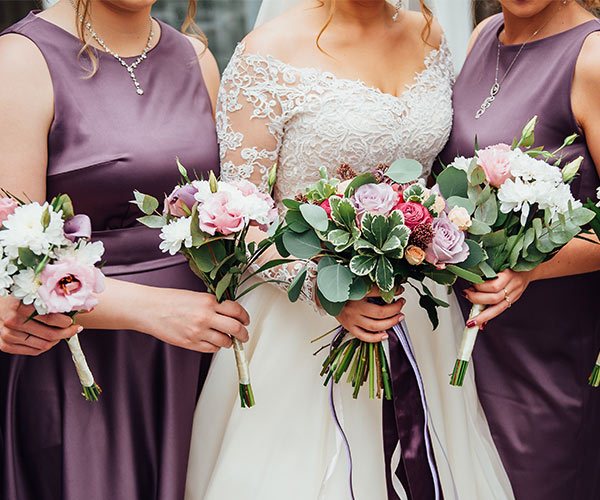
{"x":498,"y":294}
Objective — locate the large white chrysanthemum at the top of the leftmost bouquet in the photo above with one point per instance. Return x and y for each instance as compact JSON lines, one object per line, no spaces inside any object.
{"x":23,"y":229}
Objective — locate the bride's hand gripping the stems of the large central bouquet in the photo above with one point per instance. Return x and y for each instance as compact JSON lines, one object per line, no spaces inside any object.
{"x":368,"y":322}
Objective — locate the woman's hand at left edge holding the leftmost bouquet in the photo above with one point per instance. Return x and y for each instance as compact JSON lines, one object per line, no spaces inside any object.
{"x":35,"y":336}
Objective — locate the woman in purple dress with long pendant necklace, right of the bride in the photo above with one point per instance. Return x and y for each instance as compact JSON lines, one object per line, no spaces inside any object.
{"x":533,"y":360}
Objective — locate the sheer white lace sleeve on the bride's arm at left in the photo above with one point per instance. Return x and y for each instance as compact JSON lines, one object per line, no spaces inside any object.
{"x":254,"y":99}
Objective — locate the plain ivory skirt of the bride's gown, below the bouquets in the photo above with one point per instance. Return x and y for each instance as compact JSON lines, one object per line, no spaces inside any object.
{"x":287,"y":446}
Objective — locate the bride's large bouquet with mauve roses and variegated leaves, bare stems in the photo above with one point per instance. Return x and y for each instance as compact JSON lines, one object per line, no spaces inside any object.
{"x":379,"y":229}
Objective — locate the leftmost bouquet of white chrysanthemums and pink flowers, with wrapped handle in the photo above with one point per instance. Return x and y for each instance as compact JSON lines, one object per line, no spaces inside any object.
{"x":46,"y":260}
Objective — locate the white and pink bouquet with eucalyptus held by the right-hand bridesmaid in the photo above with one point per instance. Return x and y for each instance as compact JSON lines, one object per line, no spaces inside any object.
{"x":523,"y":212}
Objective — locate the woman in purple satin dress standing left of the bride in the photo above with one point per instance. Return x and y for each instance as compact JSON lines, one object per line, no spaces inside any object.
{"x":75,"y":121}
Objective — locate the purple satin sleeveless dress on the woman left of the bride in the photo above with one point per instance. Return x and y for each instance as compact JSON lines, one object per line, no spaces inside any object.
{"x":105,"y":141}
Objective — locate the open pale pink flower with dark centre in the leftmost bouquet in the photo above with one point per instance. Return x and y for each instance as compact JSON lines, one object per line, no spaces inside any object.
{"x":70,"y":285}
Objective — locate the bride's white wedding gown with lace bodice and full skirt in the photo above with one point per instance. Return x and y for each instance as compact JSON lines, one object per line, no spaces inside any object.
{"x":288,"y":446}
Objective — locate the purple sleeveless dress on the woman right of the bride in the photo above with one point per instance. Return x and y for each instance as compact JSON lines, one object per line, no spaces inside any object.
{"x":532,"y":362}
